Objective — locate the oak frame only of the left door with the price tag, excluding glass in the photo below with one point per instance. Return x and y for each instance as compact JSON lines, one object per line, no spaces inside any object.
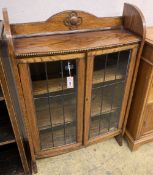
{"x":24,"y":72}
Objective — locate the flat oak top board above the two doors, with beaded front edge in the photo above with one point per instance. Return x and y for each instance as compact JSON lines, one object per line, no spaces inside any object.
{"x":76,"y":41}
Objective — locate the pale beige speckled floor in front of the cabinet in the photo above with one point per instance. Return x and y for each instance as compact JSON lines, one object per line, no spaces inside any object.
{"x":105,"y":158}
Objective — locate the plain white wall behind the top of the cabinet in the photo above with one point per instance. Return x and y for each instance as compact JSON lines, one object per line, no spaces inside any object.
{"x":38,"y":10}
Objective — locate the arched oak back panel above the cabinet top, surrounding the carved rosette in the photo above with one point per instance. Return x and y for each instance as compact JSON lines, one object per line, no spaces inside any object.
{"x":56,"y":23}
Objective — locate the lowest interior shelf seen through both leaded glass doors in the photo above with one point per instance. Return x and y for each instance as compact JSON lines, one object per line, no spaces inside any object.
{"x":70,"y":131}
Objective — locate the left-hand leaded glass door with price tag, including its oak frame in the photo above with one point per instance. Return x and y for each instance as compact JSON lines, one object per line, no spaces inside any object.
{"x":55,"y":103}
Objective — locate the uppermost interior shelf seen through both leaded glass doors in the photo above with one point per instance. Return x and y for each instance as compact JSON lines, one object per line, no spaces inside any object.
{"x":54,"y":85}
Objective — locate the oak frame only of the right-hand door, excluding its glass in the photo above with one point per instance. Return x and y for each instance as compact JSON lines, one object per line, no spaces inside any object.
{"x":88,"y":91}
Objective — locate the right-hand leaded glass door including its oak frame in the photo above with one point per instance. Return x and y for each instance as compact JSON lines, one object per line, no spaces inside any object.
{"x":105,"y":93}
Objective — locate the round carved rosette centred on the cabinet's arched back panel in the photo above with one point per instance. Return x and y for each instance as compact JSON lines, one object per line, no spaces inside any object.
{"x":73,"y":20}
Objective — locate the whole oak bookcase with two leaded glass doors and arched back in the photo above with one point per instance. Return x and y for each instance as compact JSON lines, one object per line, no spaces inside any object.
{"x":75,"y":75}
